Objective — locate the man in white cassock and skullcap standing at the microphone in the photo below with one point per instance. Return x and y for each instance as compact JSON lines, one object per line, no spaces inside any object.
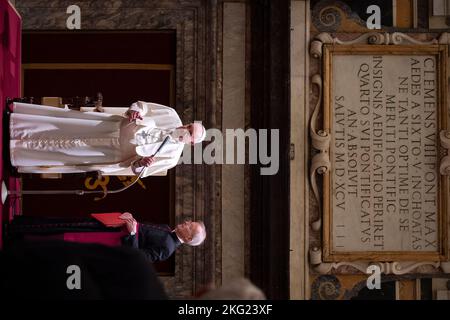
{"x":46,"y":139}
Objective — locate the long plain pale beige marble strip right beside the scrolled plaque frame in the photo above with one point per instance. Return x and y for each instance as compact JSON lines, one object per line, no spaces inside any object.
{"x":299,"y":133}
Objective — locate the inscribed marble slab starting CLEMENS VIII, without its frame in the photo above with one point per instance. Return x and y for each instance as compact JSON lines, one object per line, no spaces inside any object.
{"x":384,"y":184}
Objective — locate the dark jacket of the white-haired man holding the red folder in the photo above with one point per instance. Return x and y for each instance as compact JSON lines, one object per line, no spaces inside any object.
{"x":156,"y":241}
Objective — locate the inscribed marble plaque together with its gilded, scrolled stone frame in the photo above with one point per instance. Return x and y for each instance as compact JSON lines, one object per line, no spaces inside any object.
{"x":383,"y":153}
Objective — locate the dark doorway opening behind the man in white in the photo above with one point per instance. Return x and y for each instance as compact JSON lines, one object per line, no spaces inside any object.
{"x":125,"y":67}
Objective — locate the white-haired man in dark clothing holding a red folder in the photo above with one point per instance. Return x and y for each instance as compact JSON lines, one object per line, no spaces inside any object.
{"x":158,"y":242}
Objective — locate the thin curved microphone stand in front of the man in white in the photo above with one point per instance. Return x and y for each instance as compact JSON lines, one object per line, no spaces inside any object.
{"x":6,"y":192}
